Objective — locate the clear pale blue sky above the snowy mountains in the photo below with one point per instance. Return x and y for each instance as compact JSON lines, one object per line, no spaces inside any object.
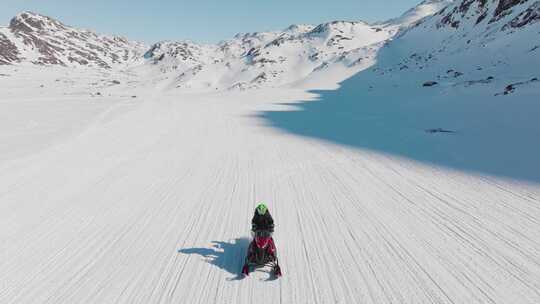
{"x":201,"y":20}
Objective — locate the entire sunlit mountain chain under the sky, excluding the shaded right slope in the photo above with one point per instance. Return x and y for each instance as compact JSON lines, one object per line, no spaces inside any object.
{"x":334,"y":50}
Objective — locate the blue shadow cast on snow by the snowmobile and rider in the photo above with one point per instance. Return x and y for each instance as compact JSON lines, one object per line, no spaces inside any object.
{"x":228,"y":256}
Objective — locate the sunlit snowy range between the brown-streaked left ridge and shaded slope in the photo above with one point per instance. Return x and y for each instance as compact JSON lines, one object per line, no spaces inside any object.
{"x":278,"y":58}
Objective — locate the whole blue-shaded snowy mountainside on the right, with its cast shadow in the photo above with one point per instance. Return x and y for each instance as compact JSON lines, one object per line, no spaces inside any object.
{"x":460,"y":89}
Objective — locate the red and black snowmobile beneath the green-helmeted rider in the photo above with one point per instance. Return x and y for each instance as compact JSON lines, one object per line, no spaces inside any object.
{"x":261,"y":253}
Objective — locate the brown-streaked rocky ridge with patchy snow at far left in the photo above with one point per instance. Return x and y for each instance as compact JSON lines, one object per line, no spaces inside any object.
{"x":37,"y":39}
